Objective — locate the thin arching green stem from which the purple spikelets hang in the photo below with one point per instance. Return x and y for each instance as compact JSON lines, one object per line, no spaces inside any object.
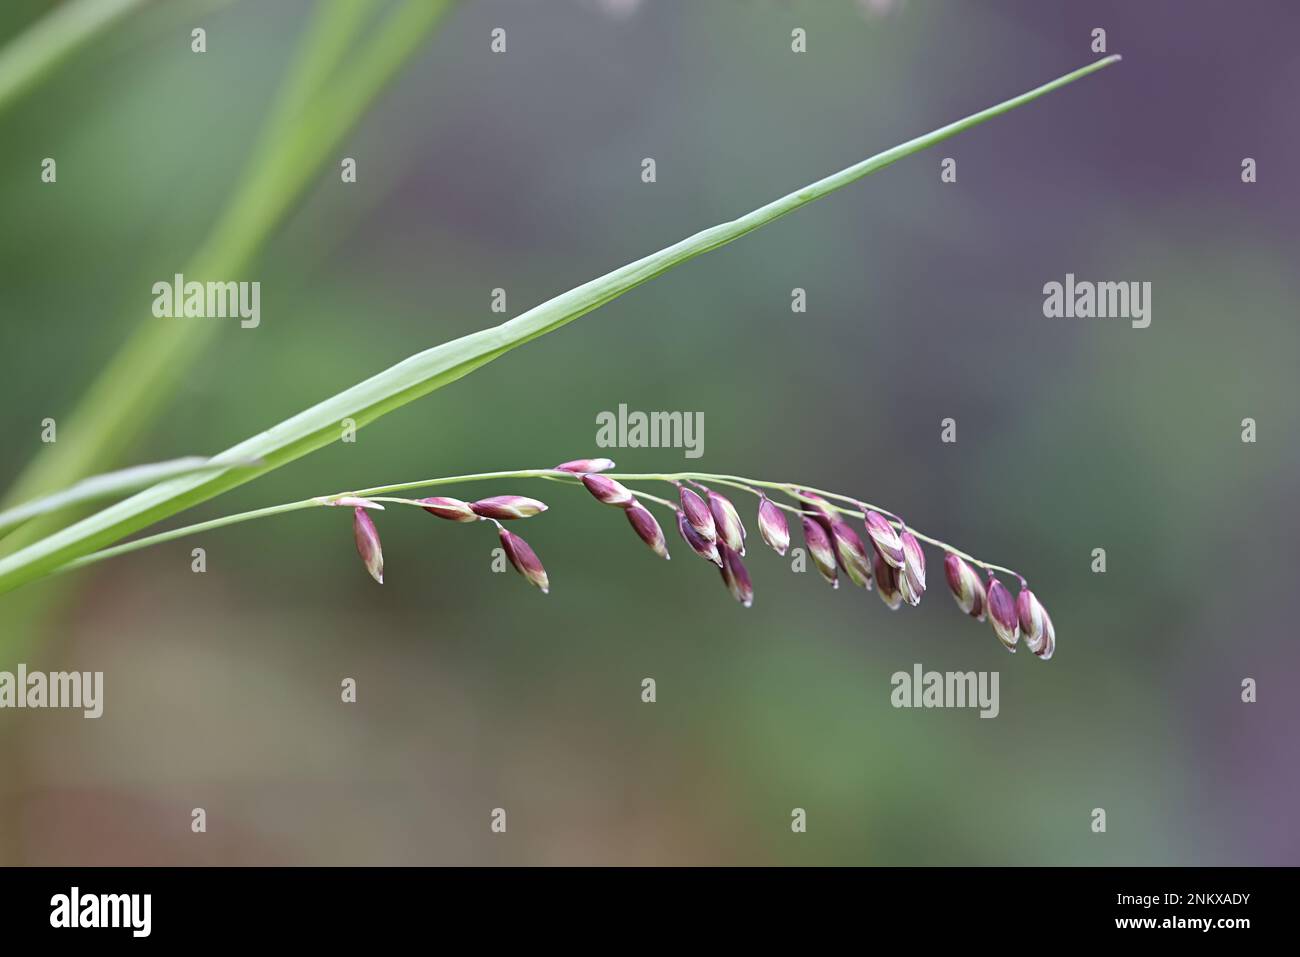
{"x":382,"y":493}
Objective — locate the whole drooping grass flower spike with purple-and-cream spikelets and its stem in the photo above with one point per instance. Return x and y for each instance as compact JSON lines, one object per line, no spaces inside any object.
{"x":889,"y":556}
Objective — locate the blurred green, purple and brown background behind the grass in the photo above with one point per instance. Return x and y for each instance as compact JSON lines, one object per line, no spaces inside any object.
{"x":522,"y":171}
